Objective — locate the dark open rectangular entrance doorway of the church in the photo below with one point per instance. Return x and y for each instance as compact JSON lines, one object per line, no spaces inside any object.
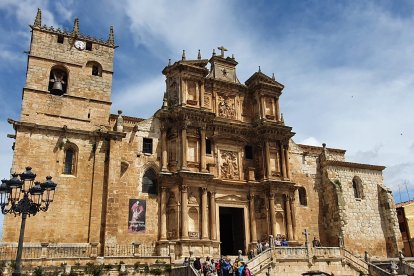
{"x":231,"y":230}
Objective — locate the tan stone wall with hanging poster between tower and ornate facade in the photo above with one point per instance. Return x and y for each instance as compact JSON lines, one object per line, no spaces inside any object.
{"x":127,"y":185}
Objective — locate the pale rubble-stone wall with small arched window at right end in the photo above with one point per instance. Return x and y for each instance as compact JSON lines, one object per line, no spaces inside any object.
{"x":360,"y":218}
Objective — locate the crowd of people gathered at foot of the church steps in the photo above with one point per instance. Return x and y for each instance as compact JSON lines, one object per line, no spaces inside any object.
{"x":222,"y":267}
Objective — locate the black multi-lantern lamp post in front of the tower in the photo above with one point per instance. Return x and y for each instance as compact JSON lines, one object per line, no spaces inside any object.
{"x":21,"y":195}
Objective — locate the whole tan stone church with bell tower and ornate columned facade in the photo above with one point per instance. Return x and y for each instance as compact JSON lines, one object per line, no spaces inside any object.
{"x":213,"y":171}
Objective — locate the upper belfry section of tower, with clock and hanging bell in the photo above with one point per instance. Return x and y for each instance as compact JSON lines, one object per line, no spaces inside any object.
{"x":69,"y":77}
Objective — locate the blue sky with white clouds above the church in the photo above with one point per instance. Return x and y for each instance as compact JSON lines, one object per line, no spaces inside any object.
{"x":347,"y":66}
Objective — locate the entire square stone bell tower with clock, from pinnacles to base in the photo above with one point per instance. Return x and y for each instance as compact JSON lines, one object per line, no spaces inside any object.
{"x":64,"y":130}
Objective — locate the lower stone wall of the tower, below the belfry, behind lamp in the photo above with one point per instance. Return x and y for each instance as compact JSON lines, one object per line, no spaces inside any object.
{"x":71,"y":209}
